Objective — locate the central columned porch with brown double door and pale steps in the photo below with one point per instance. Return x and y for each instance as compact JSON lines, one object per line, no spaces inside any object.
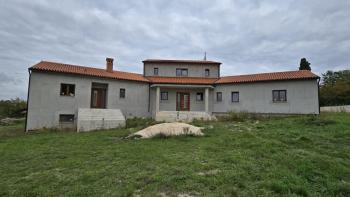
{"x":174,"y":102}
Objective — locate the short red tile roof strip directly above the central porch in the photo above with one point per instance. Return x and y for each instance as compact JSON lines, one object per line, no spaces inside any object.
{"x":182,"y":80}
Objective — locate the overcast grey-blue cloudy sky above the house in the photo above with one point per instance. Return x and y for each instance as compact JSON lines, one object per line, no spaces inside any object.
{"x":247,"y":36}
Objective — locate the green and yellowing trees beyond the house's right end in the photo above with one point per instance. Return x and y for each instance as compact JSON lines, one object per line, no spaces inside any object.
{"x":335,"y":88}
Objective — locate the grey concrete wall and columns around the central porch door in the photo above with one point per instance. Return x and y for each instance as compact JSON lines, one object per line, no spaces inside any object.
{"x":170,"y":104}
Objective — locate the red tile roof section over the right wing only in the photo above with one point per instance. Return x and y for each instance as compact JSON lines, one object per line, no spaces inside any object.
{"x":275,"y":76}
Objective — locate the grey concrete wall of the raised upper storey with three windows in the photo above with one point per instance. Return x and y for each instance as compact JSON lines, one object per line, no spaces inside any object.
{"x":169,"y":70}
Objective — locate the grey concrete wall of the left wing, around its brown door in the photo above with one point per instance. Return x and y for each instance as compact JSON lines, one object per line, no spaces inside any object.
{"x":45,"y":103}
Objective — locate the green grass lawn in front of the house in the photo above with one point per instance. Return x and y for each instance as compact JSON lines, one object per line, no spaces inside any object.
{"x":289,"y":156}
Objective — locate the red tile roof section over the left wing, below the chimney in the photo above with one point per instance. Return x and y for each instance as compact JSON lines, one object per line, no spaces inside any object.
{"x":96,"y":72}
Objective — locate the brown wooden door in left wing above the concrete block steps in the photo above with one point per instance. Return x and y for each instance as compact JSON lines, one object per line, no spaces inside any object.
{"x":98,"y":95}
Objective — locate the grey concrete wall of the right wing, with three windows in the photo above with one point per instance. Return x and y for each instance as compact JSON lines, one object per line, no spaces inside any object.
{"x":302,"y":97}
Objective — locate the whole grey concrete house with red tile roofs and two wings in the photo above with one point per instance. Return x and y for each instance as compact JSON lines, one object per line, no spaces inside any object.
{"x":168,"y":90}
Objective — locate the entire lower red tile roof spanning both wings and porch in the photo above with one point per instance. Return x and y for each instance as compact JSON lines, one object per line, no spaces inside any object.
{"x":98,"y":72}
